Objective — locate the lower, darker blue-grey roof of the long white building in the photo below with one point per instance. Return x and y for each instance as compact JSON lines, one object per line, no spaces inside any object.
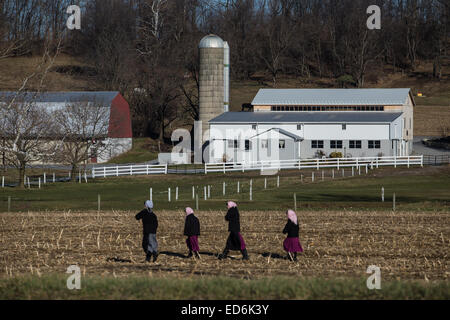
{"x":306,"y":117}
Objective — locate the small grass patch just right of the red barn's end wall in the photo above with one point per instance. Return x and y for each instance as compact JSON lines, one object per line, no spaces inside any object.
{"x":143,"y":150}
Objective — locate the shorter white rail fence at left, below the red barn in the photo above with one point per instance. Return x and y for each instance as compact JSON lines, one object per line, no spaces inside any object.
{"x":115,"y":171}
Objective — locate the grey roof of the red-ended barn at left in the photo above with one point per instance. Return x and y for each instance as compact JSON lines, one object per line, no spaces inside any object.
{"x":100,"y":97}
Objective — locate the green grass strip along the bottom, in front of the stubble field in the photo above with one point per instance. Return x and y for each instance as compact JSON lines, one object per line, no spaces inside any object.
{"x":283,"y":288}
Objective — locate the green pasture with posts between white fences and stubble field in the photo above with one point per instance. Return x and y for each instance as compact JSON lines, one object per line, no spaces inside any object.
{"x":413,"y":192}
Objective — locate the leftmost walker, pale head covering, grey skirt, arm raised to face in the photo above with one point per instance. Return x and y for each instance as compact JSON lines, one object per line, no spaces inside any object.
{"x":150,"y":225}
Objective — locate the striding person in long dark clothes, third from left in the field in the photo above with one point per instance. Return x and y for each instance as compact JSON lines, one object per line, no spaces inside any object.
{"x":235,"y":240}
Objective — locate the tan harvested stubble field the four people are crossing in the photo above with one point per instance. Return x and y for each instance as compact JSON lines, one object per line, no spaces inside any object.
{"x":405,"y":245}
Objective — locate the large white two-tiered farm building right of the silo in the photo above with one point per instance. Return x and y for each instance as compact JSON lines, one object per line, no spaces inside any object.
{"x":289,"y":124}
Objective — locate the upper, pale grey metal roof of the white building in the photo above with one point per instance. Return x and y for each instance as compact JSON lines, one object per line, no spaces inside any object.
{"x":331,"y":97}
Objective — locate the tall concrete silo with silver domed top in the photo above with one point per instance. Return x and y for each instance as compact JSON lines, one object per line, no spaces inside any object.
{"x":211,"y":80}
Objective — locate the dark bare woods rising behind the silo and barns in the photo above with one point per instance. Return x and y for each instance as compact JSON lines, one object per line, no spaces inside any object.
{"x":147,"y":49}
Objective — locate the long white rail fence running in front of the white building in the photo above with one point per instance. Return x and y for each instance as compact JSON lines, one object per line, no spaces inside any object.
{"x":371,"y":162}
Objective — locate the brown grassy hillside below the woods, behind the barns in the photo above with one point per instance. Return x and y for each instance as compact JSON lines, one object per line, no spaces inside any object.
{"x":432,"y":114}
